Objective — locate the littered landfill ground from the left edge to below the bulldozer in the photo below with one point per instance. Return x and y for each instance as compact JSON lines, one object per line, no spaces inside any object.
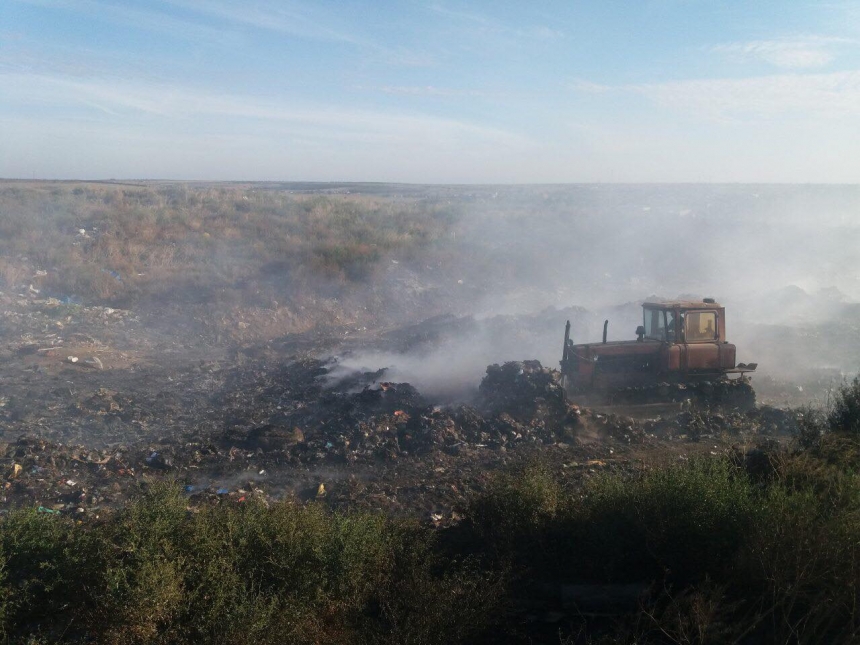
{"x":96,"y":404}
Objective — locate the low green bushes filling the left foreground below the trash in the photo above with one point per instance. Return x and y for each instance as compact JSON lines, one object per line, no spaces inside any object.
{"x":159,"y":573}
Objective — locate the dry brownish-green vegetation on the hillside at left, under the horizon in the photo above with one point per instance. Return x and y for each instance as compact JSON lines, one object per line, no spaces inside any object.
{"x":116,"y":243}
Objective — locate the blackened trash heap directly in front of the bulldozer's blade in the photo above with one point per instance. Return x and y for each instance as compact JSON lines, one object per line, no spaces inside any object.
{"x":518,"y":402}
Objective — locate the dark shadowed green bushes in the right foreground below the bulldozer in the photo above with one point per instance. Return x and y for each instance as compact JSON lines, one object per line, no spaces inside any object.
{"x":725,"y":557}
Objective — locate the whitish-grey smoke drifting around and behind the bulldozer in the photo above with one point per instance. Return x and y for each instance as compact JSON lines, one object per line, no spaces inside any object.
{"x":524,"y":259}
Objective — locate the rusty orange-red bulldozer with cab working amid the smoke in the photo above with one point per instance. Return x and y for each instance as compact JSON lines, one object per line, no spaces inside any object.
{"x":680,"y":356}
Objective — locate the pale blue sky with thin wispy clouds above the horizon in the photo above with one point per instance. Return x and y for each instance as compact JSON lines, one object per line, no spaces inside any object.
{"x":431,"y":92}
